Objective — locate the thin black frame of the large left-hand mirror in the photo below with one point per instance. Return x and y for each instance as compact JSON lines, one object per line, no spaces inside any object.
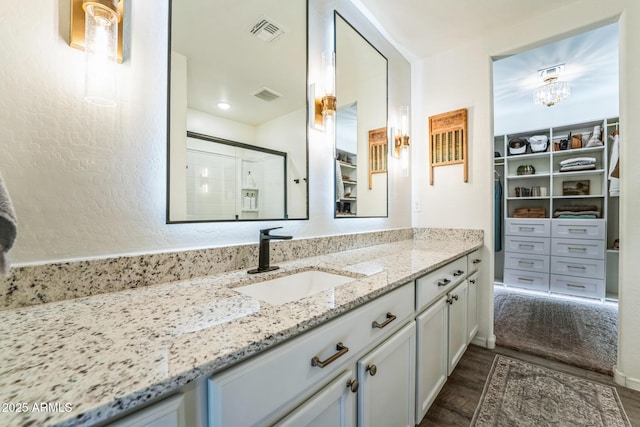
{"x":168,"y":130}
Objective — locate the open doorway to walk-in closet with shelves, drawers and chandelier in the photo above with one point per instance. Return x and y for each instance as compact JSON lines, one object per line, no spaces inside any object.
{"x":555,"y":187}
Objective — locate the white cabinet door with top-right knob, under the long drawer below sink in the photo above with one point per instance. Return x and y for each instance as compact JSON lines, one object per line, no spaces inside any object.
{"x":334,"y":405}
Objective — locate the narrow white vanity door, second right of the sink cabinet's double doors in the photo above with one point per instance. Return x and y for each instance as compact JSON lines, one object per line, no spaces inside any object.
{"x":457,"y":300}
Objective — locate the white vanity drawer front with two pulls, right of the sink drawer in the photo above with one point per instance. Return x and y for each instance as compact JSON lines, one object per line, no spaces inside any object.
{"x":429,"y":287}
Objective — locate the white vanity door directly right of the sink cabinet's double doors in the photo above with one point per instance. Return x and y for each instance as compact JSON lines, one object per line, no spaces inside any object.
{"x":431,"y":360}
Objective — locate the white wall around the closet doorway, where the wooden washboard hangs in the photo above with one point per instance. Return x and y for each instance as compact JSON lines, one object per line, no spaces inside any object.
{"x":462,"y":78}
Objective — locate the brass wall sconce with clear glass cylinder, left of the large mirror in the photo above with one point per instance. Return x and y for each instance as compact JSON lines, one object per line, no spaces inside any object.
{"x":95,"y":28}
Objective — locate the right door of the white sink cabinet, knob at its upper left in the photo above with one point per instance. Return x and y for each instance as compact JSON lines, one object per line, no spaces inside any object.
{"x":387,"y":382}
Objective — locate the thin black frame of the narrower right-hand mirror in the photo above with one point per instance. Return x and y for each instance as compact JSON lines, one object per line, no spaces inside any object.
{"x":337,"y":14}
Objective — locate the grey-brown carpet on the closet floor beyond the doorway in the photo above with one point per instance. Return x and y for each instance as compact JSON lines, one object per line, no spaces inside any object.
{"x":578,"y":333}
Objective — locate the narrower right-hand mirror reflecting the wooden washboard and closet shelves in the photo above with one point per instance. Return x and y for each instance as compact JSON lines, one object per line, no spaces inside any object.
{"x":361,"y":177}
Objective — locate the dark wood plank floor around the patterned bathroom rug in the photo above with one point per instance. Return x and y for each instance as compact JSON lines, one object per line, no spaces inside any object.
{"x":458,"y":399}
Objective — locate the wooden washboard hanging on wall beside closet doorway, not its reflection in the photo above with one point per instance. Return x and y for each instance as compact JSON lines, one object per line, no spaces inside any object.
{"x":448,"y":141}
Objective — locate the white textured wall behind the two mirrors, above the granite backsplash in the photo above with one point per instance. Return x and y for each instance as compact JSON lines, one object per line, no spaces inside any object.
{"x":91,"y":182}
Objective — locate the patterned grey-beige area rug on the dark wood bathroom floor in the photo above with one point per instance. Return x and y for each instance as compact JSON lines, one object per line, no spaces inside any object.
{"x":521,"y":394}
